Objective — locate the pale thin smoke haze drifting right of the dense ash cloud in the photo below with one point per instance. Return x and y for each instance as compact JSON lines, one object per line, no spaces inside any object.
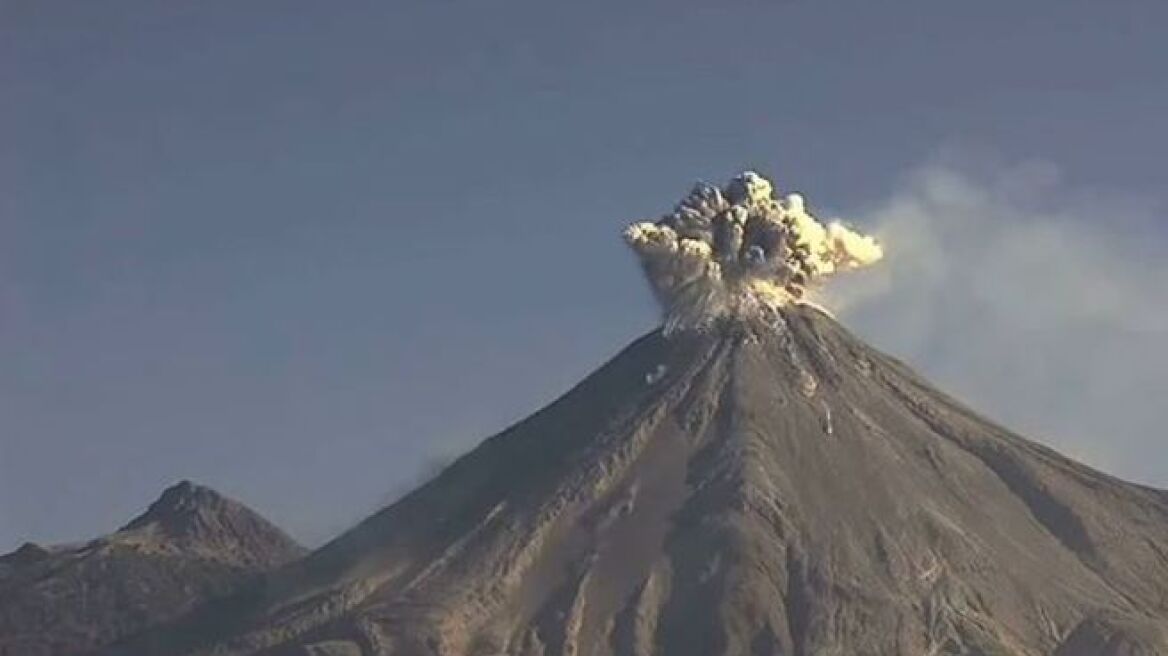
{"x":1044,"y":305}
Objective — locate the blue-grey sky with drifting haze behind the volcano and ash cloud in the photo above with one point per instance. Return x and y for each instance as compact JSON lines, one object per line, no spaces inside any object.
{"x":301,"y":252}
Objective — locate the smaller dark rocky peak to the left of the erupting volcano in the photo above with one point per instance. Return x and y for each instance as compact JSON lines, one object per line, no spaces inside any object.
{"x":192,"y":545}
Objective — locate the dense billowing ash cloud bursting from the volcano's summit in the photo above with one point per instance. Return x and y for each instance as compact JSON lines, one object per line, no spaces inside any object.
{"x":741,"y":252}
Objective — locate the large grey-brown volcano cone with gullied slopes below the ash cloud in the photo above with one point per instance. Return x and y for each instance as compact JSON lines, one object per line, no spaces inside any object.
{"x":778,"y":491}
